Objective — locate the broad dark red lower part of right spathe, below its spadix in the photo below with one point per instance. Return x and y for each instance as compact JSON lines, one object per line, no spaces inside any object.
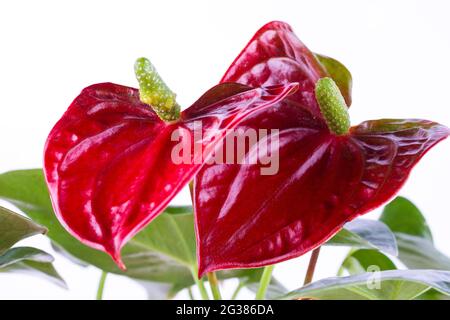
{"x":245,"y":219}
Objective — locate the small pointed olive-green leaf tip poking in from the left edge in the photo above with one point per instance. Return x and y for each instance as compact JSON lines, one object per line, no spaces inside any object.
{"x":14,"y":227}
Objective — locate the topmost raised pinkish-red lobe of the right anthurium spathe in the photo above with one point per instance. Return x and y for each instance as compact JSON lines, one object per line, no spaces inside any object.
{"x":276,"y":56}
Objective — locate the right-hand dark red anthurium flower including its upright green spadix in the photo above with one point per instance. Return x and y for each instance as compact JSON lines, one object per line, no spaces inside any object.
{"x":328,"y":172}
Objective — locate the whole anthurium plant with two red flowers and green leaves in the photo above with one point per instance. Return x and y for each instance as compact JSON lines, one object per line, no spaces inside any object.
{"x":275,"y":170}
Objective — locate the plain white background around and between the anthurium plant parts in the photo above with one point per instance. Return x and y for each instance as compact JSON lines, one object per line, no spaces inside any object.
{"x":397,"y":51}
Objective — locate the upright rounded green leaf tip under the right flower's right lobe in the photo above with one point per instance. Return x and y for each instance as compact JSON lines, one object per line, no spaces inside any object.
{"x":402,"y":216}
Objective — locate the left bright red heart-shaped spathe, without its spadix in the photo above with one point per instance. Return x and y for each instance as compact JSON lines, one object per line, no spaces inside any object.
{"x":109,"y":161}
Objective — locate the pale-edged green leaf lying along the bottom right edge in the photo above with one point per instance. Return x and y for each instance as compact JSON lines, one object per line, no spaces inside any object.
{"x":384,"y":285}
